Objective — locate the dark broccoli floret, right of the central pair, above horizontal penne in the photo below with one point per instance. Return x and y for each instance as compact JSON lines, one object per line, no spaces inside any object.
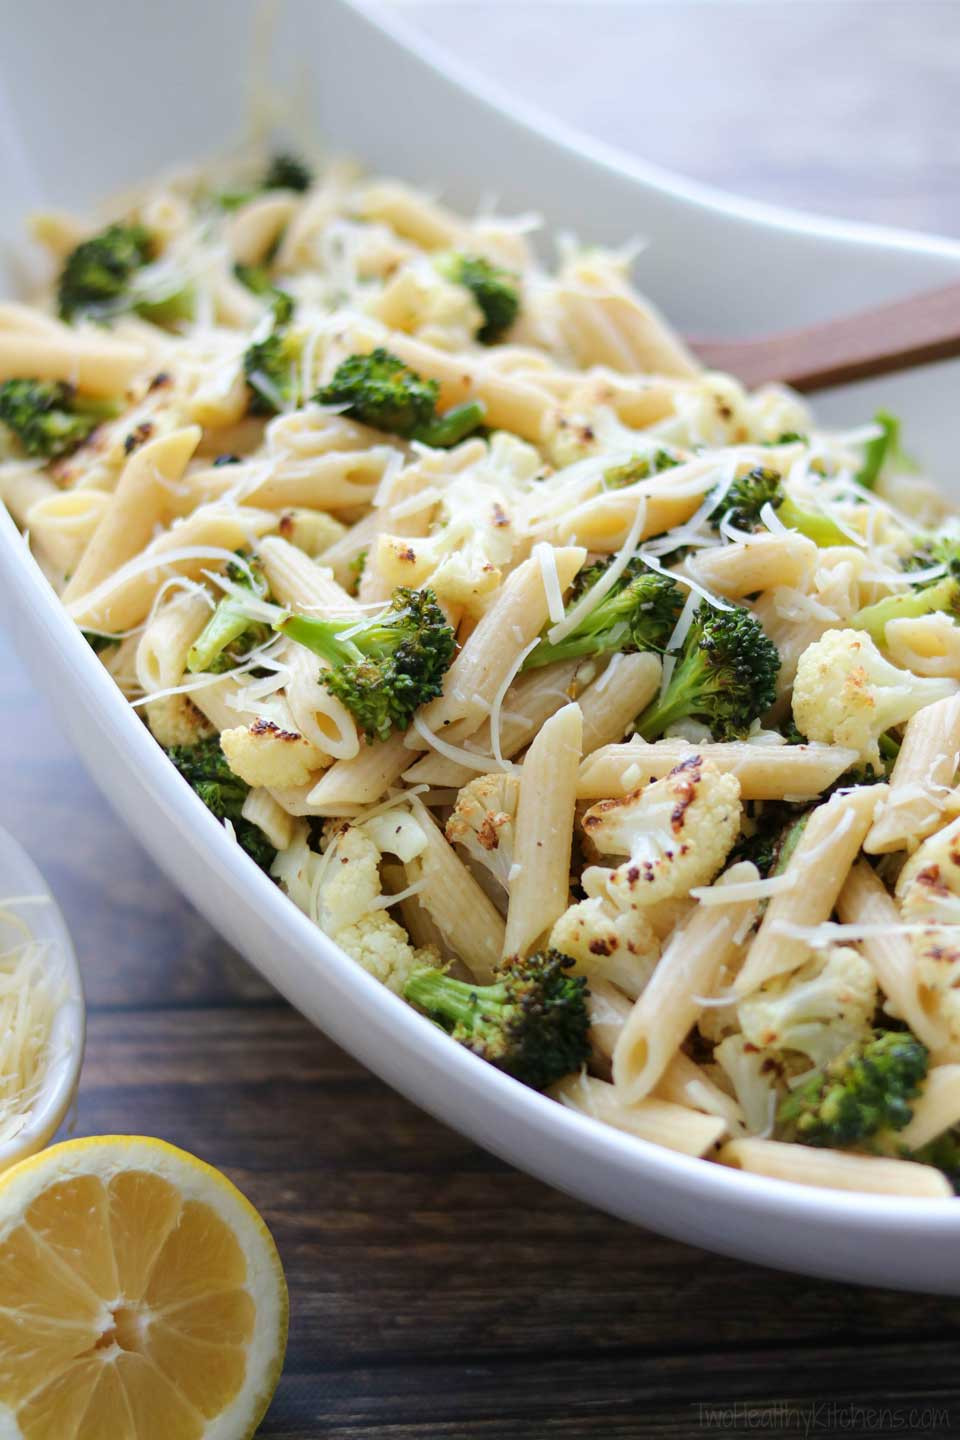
{"x":725,"y":678}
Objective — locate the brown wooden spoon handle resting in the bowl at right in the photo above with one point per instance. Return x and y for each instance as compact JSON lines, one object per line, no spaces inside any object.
{"x":892,"y":338}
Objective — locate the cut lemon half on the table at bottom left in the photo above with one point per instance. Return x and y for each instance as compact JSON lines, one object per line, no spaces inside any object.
{"x":142,"y":1298}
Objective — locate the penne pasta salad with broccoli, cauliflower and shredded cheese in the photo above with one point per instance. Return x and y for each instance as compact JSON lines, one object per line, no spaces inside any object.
{"x":604,"y":711}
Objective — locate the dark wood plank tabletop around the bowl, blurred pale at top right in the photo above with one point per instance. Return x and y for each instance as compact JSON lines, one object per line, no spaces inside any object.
{"x":437,"y":1294}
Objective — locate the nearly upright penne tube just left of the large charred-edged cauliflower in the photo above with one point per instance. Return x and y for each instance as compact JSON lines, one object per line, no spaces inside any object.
{"x":543,"y":833}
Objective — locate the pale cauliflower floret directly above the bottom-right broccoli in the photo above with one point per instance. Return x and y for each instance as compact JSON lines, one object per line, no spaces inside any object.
{"x":817,"y":1010}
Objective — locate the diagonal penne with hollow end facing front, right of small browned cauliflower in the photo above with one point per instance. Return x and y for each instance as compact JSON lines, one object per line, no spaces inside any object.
{"x":686,"y":974}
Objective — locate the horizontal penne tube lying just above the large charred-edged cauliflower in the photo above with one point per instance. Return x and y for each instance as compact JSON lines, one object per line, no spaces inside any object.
{"x":766,"y":773}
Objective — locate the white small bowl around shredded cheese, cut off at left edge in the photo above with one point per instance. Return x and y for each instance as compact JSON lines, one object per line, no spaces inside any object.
{"x":19,"y":878}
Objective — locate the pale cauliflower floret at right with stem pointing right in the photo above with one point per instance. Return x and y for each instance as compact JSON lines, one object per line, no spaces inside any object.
{"x":846,"y":693}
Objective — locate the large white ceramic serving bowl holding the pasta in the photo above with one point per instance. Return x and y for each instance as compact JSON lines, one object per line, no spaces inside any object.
{"x":717,"y":266}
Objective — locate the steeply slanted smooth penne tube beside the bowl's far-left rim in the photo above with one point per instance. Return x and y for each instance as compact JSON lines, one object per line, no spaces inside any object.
{"x":139,"y":506}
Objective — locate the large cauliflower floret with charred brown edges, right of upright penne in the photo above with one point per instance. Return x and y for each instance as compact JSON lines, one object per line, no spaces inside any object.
{"x":677,"y":834}
